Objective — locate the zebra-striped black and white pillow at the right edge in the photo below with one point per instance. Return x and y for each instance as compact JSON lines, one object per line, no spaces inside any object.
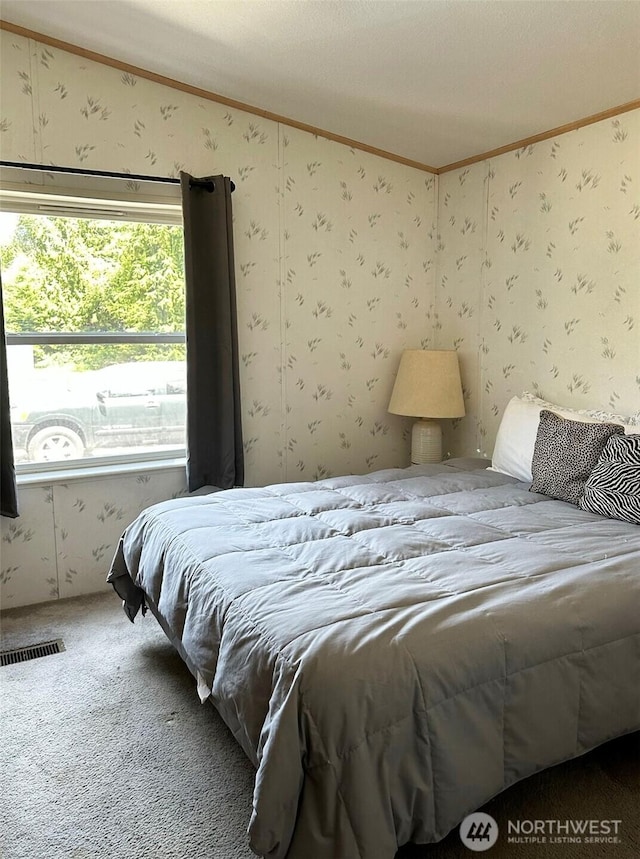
{"x":613,"y":488}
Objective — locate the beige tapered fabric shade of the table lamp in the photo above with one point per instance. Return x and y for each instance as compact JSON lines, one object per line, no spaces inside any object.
{"x":428,"y":385}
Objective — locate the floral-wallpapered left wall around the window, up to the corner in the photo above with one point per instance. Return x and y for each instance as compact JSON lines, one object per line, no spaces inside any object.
{"x":335,"y":276}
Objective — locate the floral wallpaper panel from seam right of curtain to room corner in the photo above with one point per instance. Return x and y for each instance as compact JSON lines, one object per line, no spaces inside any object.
{"x":358,"y":275}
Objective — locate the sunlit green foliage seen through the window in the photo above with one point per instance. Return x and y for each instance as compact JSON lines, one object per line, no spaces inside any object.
{"x":80,"y":275}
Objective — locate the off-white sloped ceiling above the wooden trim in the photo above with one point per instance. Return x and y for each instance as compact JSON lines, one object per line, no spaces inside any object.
{"x":434,"y":81}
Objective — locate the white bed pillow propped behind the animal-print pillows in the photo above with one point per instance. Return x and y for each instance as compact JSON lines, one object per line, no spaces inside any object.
{"x":518,"y":428}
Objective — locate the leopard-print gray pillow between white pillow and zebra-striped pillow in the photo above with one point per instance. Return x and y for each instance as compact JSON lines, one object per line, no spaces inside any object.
{"x":566,"y":453}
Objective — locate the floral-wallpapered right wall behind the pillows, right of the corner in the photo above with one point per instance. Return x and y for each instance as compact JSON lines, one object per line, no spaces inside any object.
{"x":539,"y":273}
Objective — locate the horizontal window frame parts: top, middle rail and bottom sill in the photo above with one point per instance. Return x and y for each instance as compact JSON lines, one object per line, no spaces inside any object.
{"x":93,"y":199}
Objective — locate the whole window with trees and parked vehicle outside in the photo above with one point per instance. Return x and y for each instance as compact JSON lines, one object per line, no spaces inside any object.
{"x":94,"y":315}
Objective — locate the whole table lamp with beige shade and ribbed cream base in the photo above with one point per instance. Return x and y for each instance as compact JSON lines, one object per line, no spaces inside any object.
{"x":427,"y":386}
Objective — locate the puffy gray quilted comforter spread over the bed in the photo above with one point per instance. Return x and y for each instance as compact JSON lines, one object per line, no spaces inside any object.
{"x":394,"y":649}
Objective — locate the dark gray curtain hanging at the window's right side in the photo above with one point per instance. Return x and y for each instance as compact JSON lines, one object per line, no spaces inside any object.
{"x":214,"y":431}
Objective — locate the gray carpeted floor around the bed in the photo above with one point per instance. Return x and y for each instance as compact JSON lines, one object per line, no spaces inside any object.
{"x":106,"y":753}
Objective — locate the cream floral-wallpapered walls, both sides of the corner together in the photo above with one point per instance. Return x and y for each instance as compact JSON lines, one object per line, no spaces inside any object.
{"x":528,"y":264}
